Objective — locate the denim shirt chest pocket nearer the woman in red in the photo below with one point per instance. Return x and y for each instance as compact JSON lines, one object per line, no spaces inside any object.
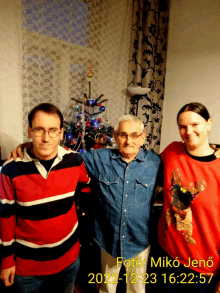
{"x":144,"y":190}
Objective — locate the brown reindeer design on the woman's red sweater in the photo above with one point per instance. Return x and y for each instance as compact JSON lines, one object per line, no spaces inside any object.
{"x":180,"y":213}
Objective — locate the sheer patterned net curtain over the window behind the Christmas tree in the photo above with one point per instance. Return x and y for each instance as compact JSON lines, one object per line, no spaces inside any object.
{"x":59,"y":39}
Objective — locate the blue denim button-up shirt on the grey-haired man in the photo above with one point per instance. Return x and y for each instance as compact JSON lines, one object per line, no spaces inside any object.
{"x":123,"y":195}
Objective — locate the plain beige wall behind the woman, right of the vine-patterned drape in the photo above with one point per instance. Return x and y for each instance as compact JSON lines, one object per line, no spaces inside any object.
{"x":193,"y":62}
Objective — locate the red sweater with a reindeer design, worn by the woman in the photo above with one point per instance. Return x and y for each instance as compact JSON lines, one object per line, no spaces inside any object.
{"x":191,"y":231}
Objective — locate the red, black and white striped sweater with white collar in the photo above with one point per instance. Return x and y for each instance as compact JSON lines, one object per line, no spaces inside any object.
{"x":38,"y":220}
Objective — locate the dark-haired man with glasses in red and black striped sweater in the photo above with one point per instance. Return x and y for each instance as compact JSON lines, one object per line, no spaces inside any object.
{"x":38,"y":237}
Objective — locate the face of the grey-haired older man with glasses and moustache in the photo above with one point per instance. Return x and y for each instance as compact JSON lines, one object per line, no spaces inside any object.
{"x":128,"y":146}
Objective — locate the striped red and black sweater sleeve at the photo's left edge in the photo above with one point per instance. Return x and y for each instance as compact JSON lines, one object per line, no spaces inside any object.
{"x":7,"y":221}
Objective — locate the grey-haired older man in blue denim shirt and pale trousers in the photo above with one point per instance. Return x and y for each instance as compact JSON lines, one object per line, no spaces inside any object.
{"x":124,"y":181}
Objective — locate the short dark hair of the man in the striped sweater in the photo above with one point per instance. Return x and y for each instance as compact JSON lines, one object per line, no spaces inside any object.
{"x":47,"y":108}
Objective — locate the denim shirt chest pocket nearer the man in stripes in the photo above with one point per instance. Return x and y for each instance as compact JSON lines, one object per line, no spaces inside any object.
{"x":109,"y":187}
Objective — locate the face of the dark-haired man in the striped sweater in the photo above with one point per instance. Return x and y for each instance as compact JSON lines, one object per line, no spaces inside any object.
{"x":45,"y":147}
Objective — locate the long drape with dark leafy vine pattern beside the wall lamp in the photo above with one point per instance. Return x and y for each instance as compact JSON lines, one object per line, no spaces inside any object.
{"x":147,"y":65}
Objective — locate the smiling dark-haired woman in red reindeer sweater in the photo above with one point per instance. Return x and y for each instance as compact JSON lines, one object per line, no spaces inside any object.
{"x":189,"y":228}
